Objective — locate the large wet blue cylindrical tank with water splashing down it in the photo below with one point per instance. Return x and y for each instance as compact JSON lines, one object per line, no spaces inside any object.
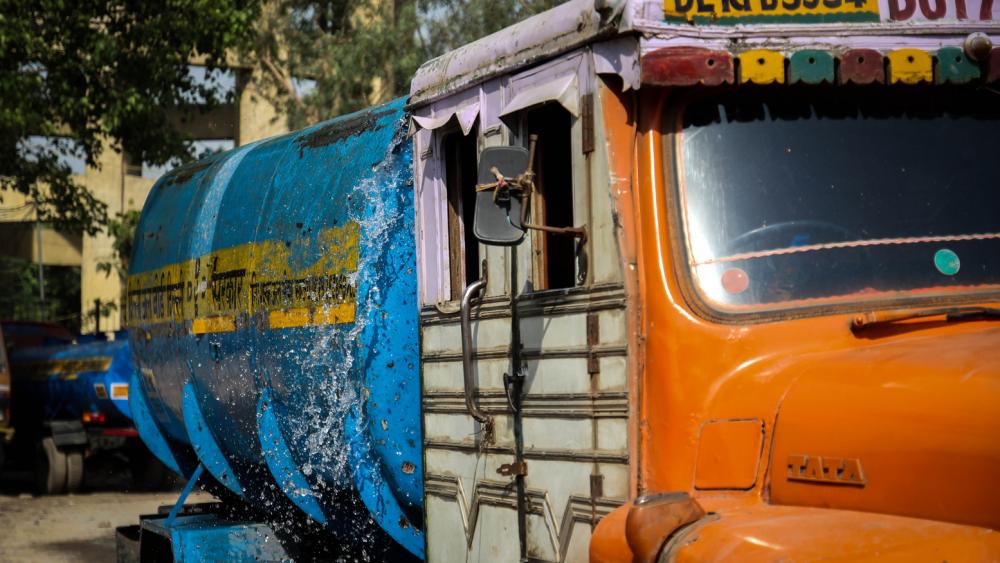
{"x":271,"y":302}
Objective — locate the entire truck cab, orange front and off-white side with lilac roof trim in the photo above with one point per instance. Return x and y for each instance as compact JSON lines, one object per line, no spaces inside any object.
{"x":762,"y":319}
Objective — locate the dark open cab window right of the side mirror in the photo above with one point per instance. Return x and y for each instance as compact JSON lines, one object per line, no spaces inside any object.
{"x":553,"y":255}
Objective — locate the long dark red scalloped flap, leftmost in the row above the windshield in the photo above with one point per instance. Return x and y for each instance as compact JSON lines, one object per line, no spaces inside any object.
{"x":687,"y":66}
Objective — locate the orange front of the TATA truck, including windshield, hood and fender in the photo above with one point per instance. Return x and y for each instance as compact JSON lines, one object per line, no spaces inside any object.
{"x":819,"y":375}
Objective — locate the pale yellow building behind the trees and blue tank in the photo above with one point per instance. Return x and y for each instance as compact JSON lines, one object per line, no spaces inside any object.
{"x":123,"y":185}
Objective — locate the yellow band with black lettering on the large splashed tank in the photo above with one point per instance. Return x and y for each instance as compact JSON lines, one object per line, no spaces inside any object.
{"x":266,"y":278}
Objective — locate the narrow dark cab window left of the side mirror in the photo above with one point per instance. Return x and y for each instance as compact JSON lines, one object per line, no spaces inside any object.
{"x":460,"y":182}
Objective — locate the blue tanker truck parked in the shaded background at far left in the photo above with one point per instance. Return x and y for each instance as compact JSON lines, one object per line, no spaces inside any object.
{"x":70,"y":401}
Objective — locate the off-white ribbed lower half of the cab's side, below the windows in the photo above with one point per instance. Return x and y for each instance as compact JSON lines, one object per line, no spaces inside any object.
{"x":574,"y":424}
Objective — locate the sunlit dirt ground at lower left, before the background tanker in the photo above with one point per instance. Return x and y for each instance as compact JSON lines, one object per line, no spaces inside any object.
{"x":72,"y":528}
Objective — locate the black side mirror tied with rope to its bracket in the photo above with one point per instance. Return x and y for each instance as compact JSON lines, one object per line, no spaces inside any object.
{"x":498,"y":212}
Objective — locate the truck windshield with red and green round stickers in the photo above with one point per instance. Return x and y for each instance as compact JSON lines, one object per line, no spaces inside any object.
{"x":805,"y":196}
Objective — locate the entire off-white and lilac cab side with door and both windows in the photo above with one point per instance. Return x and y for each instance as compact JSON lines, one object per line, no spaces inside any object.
{"x":525,"y":458}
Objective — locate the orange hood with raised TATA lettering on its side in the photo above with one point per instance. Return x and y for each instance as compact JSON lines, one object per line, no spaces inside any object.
{"x":910,"y":426}
